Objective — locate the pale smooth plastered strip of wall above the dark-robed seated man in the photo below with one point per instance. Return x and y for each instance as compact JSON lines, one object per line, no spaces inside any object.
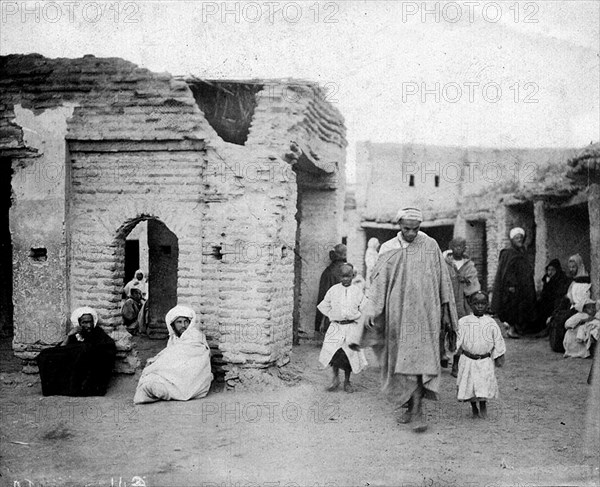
{"x":38,"y":237}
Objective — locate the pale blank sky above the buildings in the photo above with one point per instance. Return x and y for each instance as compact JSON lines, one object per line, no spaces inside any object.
{"x":498,"y":74}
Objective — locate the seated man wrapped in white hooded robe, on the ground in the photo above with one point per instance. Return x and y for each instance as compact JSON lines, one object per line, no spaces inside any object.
{"x":182,"y":370}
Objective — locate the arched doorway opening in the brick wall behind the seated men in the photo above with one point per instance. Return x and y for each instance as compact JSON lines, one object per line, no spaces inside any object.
{"x":151,"y":247}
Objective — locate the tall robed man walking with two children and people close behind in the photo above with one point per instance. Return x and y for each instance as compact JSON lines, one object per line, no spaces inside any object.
{"x":419,"y":303}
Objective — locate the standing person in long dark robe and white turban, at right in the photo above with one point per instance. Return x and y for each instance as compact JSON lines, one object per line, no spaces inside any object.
{"x":513,"y":300}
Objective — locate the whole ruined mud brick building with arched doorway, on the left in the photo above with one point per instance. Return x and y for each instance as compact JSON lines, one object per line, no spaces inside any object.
{"x":240,"y":183}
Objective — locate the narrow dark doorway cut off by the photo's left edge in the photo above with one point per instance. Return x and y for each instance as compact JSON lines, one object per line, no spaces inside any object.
{"x":6,"y":276}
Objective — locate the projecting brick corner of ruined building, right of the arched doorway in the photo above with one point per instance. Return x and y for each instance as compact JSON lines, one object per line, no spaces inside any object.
{"x":249,"y":230}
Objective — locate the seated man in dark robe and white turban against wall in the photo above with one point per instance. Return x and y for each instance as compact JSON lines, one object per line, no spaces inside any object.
{"x":83,"y":363}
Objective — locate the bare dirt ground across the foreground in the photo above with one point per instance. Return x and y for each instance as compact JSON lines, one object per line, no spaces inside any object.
{"x":294,"y":433}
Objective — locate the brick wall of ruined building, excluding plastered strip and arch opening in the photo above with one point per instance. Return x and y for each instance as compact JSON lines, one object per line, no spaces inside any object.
{"x":140,"y":149}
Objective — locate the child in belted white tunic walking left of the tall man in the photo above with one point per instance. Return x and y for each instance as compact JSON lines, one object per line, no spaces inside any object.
{"x":342,"y":305}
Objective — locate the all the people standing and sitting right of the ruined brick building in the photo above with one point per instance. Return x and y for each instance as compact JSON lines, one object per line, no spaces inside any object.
{"x":421,"y":303}
